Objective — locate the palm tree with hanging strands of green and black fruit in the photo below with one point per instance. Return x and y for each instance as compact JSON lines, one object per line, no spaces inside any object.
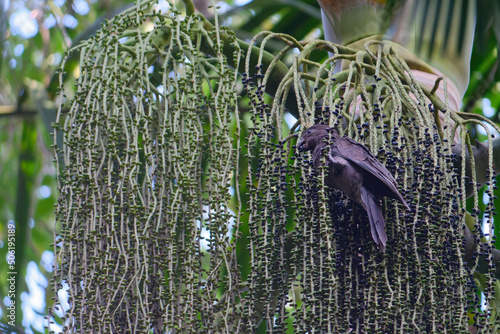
{"x":185,"y":207}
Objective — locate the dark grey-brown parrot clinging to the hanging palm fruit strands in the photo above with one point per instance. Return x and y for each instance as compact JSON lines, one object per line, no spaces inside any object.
{"x":356,"y":172}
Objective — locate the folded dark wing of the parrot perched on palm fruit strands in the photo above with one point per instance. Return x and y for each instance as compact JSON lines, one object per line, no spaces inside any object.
{"x":359,"y":155}
